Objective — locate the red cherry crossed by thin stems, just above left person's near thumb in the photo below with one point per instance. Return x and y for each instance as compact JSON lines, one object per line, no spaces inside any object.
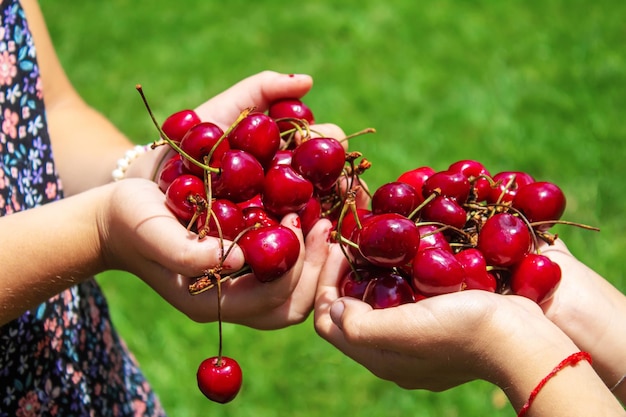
{"x":227,"y":215}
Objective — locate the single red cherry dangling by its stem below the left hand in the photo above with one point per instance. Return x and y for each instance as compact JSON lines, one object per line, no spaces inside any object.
{"x":219,"y":379}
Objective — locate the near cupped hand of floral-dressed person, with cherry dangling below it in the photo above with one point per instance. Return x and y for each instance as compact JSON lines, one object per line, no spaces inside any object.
{"x":141,"y":236}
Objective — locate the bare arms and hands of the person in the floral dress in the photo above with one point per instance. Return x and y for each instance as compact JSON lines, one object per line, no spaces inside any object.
{"x":103,"y":225}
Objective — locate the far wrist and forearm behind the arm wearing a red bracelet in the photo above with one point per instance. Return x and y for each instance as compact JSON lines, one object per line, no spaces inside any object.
{"x":589,"y":310}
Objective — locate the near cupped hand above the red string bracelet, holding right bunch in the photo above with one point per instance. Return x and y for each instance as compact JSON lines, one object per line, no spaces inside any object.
{"x":436,"y":343}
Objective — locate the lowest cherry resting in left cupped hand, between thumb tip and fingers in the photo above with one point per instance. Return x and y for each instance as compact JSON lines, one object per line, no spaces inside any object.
{"x":270,"y":251}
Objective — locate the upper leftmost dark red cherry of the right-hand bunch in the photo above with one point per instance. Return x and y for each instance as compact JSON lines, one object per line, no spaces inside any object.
{"x":396,"y":197}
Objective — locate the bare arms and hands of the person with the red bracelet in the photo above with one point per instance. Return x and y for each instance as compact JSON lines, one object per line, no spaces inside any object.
{"x":444,"y":341}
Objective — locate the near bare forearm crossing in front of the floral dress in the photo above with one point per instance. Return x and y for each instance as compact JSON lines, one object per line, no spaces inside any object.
{"x":47,"y":249}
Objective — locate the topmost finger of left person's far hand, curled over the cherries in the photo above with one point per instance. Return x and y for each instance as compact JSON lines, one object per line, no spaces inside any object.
{"x":257,"y":91}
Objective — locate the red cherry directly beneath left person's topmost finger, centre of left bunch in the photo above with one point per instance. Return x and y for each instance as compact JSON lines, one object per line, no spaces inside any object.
{"x":257,"y":134}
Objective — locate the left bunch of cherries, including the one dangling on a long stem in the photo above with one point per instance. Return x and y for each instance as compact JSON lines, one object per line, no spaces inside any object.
{"x":236,"y":185}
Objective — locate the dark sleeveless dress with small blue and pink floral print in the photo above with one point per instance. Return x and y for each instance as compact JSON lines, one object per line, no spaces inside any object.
{"x":64,"y":357}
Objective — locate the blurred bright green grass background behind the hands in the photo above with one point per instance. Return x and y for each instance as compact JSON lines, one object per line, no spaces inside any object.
{"x":537,"y":86}
